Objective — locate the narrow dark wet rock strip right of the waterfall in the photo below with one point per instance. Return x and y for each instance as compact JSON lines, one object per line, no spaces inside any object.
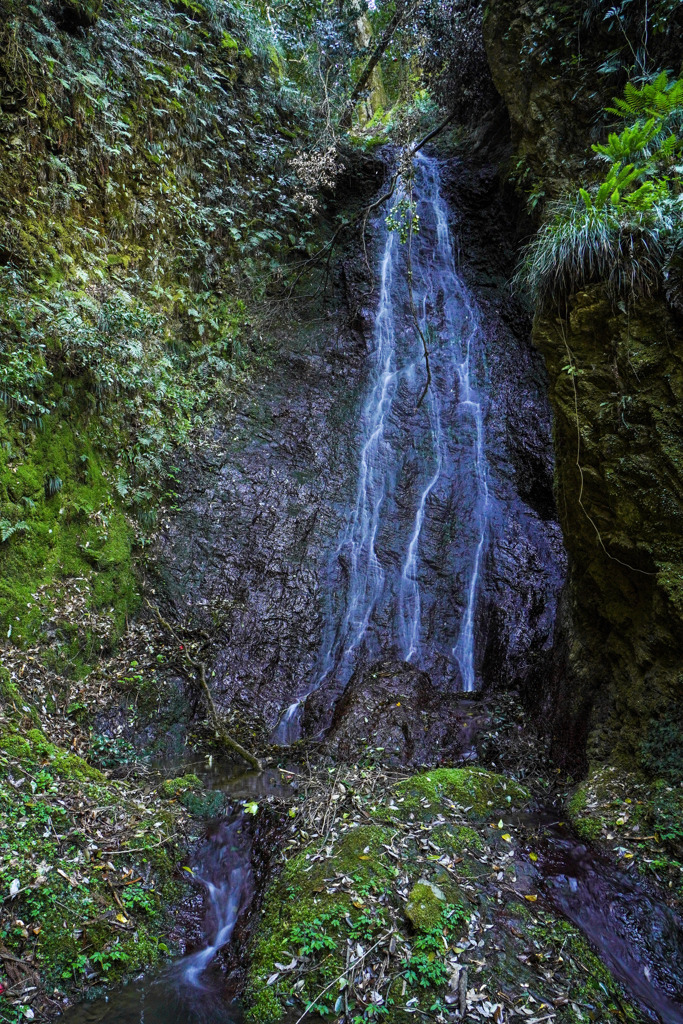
{"x":519,"y":639}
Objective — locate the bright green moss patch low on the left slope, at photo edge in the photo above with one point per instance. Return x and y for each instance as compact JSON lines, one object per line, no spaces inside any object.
{"x":78,"y":534}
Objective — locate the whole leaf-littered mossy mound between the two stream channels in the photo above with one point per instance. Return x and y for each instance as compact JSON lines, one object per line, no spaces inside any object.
{"x":385,"y":911}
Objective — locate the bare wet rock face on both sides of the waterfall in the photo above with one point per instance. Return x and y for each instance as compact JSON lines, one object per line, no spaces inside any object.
{"x":265,"y":500}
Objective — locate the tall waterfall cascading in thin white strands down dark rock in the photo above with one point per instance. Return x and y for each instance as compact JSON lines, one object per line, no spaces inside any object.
{"x":423,"y":486}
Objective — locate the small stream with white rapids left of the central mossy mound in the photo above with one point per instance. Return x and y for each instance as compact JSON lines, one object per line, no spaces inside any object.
{"x":188,"y":994}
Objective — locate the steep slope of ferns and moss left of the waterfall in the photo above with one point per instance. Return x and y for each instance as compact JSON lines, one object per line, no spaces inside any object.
{"x":148,"y":195}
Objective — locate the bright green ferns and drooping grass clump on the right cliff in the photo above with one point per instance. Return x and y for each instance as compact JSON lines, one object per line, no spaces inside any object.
{"x":627,"y":230}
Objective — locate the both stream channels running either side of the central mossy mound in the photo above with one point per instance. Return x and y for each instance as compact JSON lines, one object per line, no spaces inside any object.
{"x":637,"y":936}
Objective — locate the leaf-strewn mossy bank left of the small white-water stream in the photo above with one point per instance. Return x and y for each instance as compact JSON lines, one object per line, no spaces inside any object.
{"x":92,"y":838}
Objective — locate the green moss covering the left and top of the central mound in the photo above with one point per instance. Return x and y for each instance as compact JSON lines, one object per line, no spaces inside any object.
{"x":356,"y":891}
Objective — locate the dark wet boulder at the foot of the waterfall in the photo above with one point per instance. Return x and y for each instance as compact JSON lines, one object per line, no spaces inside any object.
{"x":394,"y":713}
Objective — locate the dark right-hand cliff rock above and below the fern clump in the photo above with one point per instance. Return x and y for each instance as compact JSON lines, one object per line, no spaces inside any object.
{"x":616,"y":380}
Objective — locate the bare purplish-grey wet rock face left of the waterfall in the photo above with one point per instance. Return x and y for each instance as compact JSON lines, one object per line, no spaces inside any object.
{"x":262,"y":503}
